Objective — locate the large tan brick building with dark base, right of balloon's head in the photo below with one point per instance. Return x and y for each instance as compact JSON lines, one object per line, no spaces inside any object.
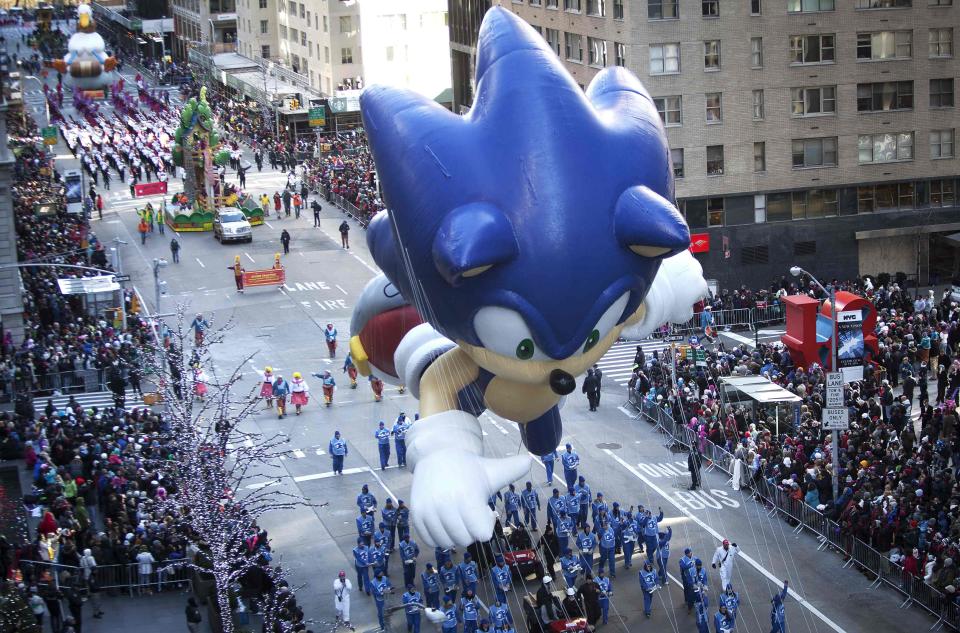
{"x":811,"y":132}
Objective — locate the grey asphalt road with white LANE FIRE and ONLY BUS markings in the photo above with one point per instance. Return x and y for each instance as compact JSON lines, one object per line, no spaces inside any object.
{"x":621,"y":457}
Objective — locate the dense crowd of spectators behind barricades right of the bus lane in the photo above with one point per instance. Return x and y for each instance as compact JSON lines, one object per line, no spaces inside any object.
{"x":900,"y":459}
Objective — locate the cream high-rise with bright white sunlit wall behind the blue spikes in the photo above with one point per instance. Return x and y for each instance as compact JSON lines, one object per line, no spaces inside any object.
{"x":342,"y":45}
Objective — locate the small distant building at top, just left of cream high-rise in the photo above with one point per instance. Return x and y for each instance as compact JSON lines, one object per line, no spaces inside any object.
{"x":209,"y":25}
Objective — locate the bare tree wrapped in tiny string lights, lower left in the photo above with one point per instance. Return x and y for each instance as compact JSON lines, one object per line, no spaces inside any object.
{"x":226,"y":477}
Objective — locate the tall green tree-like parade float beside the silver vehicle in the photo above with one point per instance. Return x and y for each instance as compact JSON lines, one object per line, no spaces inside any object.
{"x":197,"y":150}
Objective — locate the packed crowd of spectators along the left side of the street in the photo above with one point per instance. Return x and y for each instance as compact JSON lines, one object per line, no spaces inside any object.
{"x":99,"y":485}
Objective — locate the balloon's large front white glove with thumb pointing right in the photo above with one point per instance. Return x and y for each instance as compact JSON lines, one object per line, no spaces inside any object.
{"x":452,"y":480}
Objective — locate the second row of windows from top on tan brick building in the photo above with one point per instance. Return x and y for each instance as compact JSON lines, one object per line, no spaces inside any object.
{"x":808,"y":49}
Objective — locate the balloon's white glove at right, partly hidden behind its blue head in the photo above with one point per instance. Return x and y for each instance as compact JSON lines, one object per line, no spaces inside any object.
{"x":678,"y":285}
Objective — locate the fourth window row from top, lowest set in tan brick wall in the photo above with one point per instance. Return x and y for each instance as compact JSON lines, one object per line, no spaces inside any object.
{"x":807,"y":153}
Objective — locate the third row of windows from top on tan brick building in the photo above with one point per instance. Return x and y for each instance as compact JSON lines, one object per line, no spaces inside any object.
{"x":810,"y":101}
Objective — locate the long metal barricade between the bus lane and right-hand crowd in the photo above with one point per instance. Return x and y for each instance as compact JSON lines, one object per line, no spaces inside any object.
{"x":804,"y":517}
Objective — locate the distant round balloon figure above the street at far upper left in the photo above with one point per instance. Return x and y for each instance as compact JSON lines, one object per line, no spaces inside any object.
{"x":86,"y":64}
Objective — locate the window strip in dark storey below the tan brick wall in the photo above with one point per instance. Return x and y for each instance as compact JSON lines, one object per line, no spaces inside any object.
{"x":818,"y":203}
